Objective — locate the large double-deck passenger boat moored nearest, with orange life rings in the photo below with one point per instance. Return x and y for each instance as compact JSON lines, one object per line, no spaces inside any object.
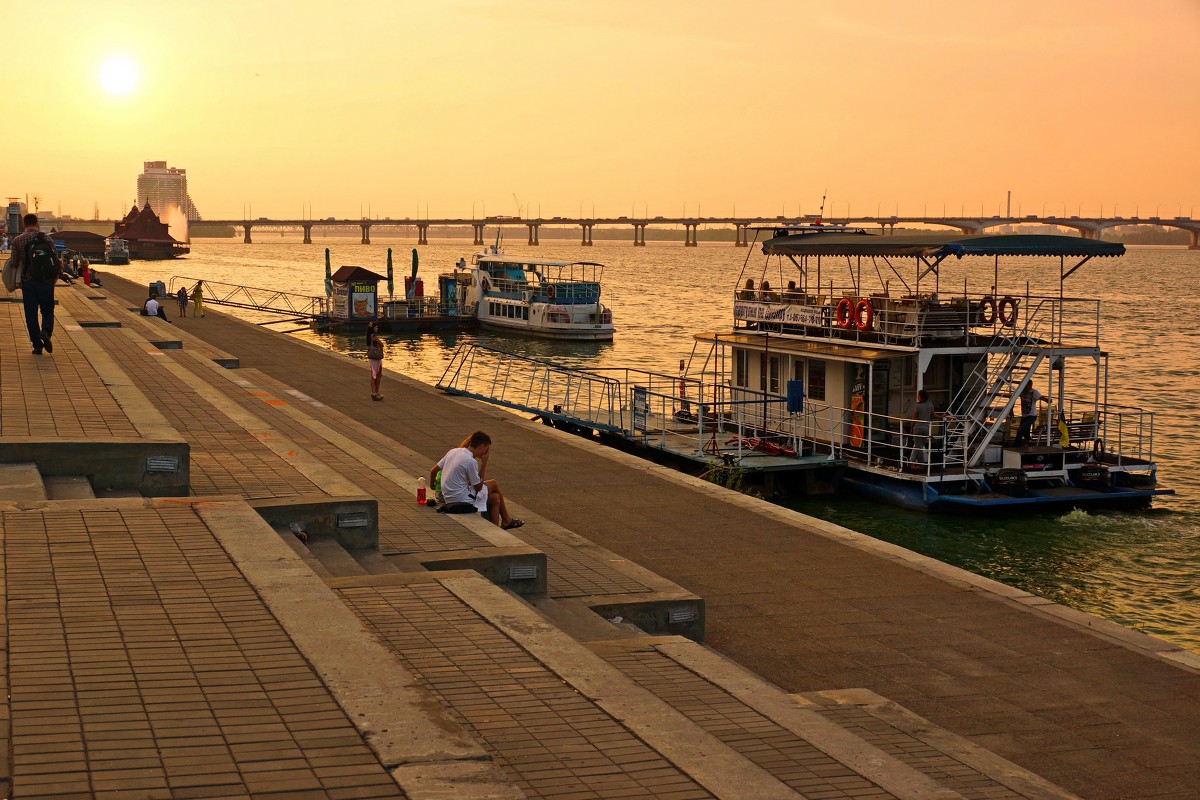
{"x":849,"y":327}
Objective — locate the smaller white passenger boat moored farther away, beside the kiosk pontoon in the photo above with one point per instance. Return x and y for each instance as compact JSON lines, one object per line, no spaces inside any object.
{"x":539,"y":298}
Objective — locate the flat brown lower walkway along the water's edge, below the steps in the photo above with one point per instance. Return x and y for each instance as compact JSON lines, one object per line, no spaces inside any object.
{"x":1101,"y":712}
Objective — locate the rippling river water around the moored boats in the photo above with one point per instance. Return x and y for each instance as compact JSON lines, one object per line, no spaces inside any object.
{"x":1142,"y":570}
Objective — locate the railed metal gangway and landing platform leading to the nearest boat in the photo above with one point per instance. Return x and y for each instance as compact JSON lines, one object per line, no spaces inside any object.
{"x":676,"y":418}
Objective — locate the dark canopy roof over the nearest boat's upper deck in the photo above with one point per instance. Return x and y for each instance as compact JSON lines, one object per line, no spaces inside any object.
{"x":938,"y":245}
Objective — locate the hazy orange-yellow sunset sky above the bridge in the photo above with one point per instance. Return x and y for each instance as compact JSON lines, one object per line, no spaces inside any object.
{"x":647,"y":105}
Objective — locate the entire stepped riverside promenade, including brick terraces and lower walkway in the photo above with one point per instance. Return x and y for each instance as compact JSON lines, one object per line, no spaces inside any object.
{"x":191,"y":646}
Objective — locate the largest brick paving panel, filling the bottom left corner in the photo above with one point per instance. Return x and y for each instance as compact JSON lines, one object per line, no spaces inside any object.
{"x":143,"y":665}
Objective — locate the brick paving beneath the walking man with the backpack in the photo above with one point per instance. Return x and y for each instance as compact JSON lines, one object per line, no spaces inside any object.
{"x":57,"y":395}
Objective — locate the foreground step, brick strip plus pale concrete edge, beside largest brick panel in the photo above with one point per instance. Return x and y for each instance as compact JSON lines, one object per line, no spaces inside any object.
{"x":560,"y":720}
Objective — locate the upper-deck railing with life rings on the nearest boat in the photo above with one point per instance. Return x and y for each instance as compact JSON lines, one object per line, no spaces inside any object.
{"x":879,"y":317}
